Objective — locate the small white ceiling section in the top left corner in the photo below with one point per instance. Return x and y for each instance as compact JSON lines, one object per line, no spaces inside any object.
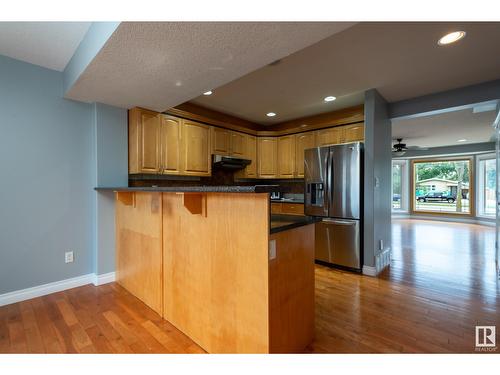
{"x":48,"y":44}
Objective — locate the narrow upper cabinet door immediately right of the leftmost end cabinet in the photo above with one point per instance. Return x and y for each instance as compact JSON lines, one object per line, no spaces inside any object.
{"x":170,"y":145}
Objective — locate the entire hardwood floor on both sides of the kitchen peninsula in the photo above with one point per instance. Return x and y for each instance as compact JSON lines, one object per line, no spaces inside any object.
{"x":441,"y":284}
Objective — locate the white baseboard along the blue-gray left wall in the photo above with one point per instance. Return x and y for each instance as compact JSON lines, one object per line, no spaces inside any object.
{"x":54,"y":287}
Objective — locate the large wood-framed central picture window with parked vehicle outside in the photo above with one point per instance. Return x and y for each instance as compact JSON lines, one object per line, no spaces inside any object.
{"x":442,"y":186}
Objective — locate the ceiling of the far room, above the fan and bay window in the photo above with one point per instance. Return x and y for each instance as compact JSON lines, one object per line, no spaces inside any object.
{"x":445,"y":129}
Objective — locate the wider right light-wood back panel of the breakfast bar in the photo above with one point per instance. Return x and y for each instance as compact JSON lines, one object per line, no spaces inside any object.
{"x":216,"y":271}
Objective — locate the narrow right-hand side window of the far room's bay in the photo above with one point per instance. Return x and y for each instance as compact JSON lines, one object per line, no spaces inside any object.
{"x":487,"y":174}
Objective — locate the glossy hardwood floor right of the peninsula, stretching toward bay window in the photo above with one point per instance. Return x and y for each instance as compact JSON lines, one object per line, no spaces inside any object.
{"x":440,"y":285}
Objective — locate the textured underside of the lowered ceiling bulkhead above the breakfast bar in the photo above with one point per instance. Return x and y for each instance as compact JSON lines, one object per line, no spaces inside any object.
{"x":159,"y":65}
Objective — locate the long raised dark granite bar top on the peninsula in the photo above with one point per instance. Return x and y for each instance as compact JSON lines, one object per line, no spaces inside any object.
{"x":198,"y":189}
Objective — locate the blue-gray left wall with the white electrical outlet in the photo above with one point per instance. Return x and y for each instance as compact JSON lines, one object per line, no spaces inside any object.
{"x":47,"y":178}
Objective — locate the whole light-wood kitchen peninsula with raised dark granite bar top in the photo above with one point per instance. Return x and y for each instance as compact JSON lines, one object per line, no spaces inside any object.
{"x":208,"y":260}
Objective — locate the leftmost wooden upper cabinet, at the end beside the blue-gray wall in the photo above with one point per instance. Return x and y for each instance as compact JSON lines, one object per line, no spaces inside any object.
{"x":144,"y":141}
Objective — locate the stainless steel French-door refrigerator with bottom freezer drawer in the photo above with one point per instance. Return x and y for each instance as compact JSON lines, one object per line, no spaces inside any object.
{"x":333,"y":191}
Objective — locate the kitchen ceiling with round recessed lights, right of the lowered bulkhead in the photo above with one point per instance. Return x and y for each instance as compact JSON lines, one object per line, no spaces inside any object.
{"x":401,"y":60}
